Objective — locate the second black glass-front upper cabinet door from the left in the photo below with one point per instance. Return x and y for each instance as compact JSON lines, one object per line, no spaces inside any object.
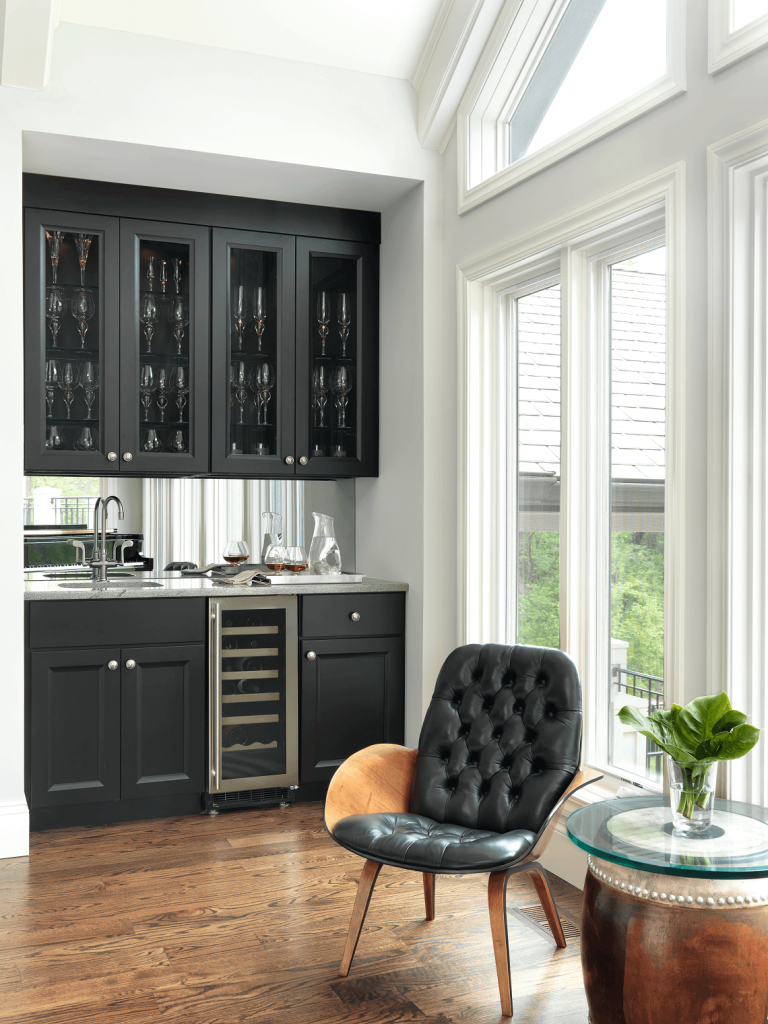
{"x":164,"y":374}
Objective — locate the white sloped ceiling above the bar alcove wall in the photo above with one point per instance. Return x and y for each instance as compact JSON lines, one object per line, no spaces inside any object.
{"x":380,"y":38}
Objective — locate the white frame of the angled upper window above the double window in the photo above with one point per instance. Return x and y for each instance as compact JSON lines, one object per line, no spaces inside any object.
{"x":511,"y":55}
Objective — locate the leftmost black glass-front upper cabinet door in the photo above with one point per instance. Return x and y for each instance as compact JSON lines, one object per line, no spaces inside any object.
{"x":71,"y":326}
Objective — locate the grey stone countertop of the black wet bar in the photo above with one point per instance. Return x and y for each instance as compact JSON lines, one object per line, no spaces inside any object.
{"x":176,"y":585}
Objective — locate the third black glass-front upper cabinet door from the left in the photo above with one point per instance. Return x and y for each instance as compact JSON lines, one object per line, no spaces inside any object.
{"x":253,"y":355}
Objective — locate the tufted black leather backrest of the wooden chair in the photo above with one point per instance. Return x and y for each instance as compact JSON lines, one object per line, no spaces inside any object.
{"x":501,"y":740}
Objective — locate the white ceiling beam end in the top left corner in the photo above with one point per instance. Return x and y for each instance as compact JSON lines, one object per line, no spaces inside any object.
{"x":27,"y":29}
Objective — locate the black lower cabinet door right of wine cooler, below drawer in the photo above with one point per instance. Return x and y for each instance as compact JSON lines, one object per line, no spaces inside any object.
{"x":352,"y":697}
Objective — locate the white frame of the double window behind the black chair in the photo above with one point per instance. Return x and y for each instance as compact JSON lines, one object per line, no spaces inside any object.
{"x":576,"y":244}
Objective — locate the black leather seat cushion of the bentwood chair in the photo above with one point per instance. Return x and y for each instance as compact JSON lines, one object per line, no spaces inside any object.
{"x":423,"y":845}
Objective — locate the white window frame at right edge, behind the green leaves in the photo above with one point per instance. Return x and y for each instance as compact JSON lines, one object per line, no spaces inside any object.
{"x":738,"y":479}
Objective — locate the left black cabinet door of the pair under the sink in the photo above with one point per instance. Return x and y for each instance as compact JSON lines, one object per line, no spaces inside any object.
{"x":74,"y":728}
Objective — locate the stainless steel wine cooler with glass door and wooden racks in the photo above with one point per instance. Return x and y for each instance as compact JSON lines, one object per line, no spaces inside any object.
{"x":254,"y":700}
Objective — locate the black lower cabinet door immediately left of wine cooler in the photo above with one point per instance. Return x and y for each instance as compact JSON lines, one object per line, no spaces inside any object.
{"x":163,"y":721}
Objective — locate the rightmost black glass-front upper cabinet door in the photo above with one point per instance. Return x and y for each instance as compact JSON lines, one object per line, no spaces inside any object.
{"x":337,"y":358}
